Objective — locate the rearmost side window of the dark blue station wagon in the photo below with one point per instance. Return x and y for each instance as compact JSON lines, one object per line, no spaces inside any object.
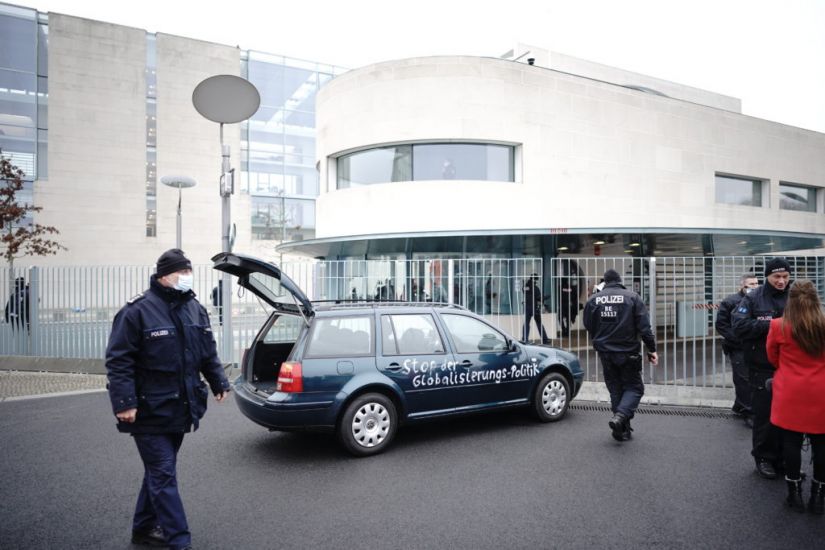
{"x":341,"y":337}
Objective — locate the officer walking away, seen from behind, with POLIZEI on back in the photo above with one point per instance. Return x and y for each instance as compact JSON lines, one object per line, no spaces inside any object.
{"x":615,"y":318}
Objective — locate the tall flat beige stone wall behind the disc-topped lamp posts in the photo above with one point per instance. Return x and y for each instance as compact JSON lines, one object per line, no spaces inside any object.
{"x":95,"y":193}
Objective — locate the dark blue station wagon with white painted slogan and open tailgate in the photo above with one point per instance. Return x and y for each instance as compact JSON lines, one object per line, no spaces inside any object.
{"x":362,"y":369}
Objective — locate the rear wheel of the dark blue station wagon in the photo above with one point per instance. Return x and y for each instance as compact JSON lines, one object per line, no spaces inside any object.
{"x":368,"y":424}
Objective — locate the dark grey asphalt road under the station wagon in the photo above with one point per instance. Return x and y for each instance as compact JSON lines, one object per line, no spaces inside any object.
{"x":69,"y":481}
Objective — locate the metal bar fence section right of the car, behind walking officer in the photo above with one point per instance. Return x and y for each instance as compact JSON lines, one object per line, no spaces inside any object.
{"x":682,"y":294}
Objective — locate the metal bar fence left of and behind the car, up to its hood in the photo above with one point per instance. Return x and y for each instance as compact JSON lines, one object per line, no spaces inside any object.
{"x":67,"y":312}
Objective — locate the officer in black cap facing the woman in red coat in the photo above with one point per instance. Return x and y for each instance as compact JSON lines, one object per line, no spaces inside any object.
{"x":751,"y":321}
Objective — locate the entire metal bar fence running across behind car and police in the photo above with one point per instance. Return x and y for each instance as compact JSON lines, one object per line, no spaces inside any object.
{"x":69,"y":310}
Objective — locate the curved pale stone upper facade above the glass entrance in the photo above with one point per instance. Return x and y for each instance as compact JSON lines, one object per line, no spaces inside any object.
{"x":589,"y":154}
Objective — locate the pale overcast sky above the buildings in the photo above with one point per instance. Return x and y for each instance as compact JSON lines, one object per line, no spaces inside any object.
{"x":768,"y":53}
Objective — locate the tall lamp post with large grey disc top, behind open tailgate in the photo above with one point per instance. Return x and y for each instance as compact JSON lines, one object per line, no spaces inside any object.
{"x":226,"y":99}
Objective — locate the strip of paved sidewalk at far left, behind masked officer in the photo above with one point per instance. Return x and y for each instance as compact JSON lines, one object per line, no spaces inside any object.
{"x":18,"y":384}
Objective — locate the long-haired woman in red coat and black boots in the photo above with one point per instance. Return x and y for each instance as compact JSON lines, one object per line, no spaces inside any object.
{"x":796,"y":348}
